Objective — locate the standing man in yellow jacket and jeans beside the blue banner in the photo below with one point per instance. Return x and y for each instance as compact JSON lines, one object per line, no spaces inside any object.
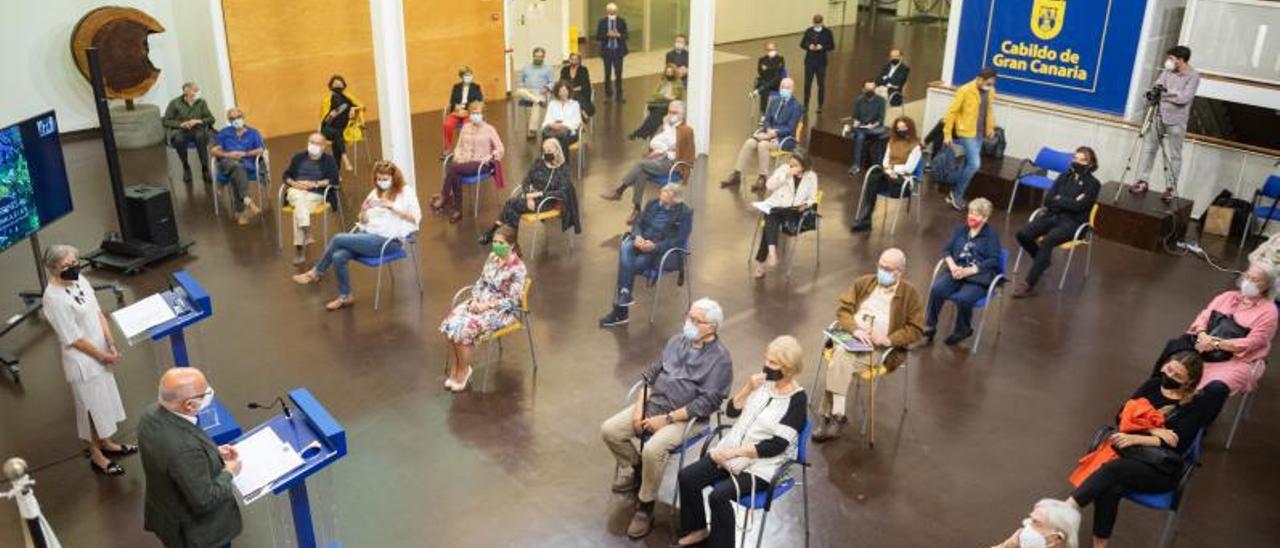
{"x":970,"y":113}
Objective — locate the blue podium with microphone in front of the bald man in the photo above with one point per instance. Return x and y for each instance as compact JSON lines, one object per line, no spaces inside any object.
{"x":321,"y":441}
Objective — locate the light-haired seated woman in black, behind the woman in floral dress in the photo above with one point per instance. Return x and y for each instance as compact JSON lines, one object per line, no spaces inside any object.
{"x":547,"y":179}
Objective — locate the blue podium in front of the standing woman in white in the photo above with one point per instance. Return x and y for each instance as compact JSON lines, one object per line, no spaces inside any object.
{"x":191,"y":304}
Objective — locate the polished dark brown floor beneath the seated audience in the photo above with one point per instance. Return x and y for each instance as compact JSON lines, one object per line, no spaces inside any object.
{"x":523,"y":465}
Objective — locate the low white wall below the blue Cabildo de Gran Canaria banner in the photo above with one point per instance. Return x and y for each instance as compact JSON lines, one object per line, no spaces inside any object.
{"x":1208,"y":168}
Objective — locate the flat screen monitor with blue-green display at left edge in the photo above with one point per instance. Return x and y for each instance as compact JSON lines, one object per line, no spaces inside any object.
{"x":34,"y":188}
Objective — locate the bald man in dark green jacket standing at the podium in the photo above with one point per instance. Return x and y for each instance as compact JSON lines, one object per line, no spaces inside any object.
{"x":190,"y":499}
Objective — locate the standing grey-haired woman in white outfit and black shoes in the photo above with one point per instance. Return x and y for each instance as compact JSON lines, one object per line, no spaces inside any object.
{"x":89,"y":358}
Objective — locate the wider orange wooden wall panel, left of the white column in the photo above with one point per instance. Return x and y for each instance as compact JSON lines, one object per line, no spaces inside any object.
{"x":284,"y":53}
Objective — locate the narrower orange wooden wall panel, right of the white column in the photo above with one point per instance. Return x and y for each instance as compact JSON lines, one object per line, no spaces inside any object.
{"x":444,"y":35}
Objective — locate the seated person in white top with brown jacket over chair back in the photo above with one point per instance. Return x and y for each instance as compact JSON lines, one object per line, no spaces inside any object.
{"x":671,"y":145}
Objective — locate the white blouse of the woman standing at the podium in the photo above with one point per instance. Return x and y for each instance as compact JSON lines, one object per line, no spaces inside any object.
{"x":75,"y":314}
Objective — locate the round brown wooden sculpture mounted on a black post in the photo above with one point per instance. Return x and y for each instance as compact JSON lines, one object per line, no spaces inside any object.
{"x":121,"y":38}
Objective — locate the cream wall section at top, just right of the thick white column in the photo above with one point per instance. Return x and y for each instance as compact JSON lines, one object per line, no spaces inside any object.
{"x":749,"y":20}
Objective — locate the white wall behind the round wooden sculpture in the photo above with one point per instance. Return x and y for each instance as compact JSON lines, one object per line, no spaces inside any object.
{"x":35,"y":53}
